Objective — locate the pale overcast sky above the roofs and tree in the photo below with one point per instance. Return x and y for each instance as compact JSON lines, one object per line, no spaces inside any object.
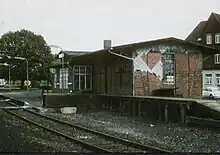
{"x":84,"y":24}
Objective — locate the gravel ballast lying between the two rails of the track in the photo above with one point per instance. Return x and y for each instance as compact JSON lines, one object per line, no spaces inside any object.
{"x":79,"y":134}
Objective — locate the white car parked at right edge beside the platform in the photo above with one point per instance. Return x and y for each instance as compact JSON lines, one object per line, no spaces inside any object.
{"x":211,"y":92}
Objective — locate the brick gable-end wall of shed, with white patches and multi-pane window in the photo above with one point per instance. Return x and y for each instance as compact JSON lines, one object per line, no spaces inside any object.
{"x":152,"y":64}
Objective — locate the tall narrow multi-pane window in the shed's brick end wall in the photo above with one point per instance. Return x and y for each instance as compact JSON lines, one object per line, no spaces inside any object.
{"x":168,"y":68}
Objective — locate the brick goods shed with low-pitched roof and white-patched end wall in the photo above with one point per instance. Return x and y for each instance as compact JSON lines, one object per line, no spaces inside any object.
{"x":141,"y":68}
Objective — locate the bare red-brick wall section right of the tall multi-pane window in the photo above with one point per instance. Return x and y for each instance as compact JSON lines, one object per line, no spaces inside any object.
{"x":189,"y":74}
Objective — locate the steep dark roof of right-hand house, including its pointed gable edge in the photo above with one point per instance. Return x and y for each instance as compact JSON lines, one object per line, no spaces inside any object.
{"x":197,"y":31}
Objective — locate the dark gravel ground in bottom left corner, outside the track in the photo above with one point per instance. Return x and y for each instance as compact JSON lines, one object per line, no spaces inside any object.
{"x":18,"y":136}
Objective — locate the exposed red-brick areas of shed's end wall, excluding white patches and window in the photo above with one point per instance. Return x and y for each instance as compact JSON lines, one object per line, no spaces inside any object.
{"x":188,"y":74}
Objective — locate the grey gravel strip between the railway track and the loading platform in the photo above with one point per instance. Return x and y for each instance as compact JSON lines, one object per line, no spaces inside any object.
{"x":171,"y":136}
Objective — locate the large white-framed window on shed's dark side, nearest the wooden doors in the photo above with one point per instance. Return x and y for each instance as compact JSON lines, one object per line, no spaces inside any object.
{"x":82,"y":77}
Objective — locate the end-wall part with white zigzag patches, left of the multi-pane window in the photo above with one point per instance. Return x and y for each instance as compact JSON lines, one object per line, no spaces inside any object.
{"x":148,"y":70}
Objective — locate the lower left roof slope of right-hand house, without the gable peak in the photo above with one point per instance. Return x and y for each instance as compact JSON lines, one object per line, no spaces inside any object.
{"x":195,"y":34}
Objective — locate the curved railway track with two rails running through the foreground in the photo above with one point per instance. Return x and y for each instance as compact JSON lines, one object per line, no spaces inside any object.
{"x":93,"y":140}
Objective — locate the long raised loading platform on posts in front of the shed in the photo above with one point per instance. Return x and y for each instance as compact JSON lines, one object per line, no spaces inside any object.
{"x":162,"y":108}
